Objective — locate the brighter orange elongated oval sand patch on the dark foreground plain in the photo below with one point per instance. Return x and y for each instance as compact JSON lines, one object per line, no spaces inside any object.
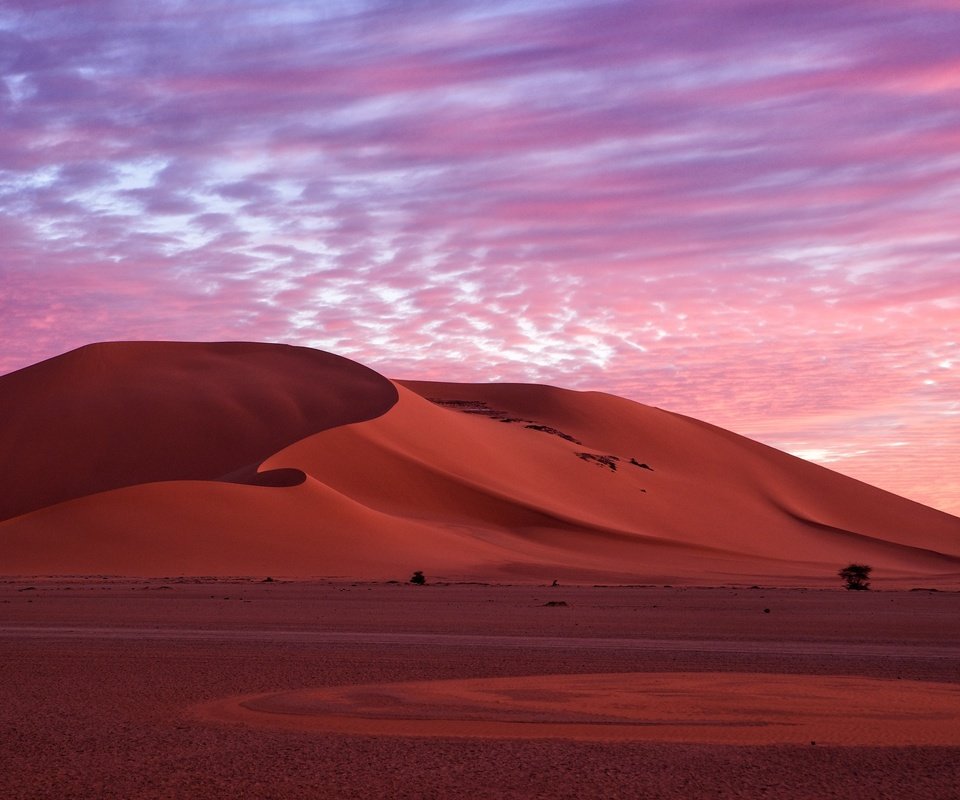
{"x":703,"y":707}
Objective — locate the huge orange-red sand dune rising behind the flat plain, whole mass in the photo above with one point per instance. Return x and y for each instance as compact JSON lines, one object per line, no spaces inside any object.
{"x":142,"y":459}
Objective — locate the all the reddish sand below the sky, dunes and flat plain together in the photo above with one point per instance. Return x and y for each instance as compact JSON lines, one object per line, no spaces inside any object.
{"x":130,"y":467}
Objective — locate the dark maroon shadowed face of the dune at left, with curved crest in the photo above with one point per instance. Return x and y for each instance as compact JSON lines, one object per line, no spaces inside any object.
{"x":123,"y":413}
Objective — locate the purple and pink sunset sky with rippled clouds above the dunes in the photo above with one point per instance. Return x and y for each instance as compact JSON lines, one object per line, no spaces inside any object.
{"x":747,"y":212}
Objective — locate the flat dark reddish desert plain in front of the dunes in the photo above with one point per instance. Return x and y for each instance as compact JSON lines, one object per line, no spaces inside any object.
{"x":122,"y":688}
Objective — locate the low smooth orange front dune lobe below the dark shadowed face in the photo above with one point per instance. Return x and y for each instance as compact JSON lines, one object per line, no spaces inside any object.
{"x":211,"y":528}
